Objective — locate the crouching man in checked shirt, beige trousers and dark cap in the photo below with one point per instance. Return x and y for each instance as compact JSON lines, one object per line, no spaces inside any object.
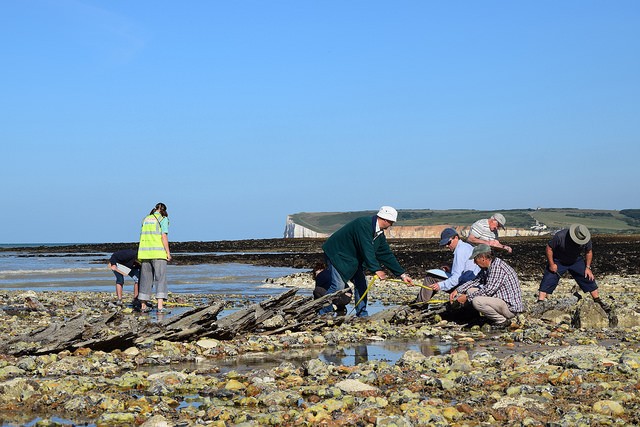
{"x":495,"y":292}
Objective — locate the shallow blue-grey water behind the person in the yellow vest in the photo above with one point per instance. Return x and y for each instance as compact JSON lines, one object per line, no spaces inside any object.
{"x":89,"y":272}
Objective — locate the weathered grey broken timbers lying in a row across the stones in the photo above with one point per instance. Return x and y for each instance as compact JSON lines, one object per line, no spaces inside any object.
{"x":117,"y":330}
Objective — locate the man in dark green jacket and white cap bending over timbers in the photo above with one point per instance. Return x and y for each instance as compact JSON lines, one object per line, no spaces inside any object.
{"x":360,"y":246}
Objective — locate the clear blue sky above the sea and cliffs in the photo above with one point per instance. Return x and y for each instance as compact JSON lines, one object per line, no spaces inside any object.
{"x":236,"y":114}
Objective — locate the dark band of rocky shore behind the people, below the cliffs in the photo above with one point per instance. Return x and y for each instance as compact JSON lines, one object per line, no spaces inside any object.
{"x":613,"y":254}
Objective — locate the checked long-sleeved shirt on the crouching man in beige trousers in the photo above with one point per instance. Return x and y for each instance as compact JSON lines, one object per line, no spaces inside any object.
{"x":499,"y":280}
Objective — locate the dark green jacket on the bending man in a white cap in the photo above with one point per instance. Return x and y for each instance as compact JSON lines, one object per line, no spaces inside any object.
{"x":353,"y":246}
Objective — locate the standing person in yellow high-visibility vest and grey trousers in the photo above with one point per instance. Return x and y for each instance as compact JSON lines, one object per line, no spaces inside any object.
{"x":153,"y":253}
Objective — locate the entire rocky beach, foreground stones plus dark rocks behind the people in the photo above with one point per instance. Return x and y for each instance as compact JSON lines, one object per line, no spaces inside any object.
{"x":565,"y":362}
